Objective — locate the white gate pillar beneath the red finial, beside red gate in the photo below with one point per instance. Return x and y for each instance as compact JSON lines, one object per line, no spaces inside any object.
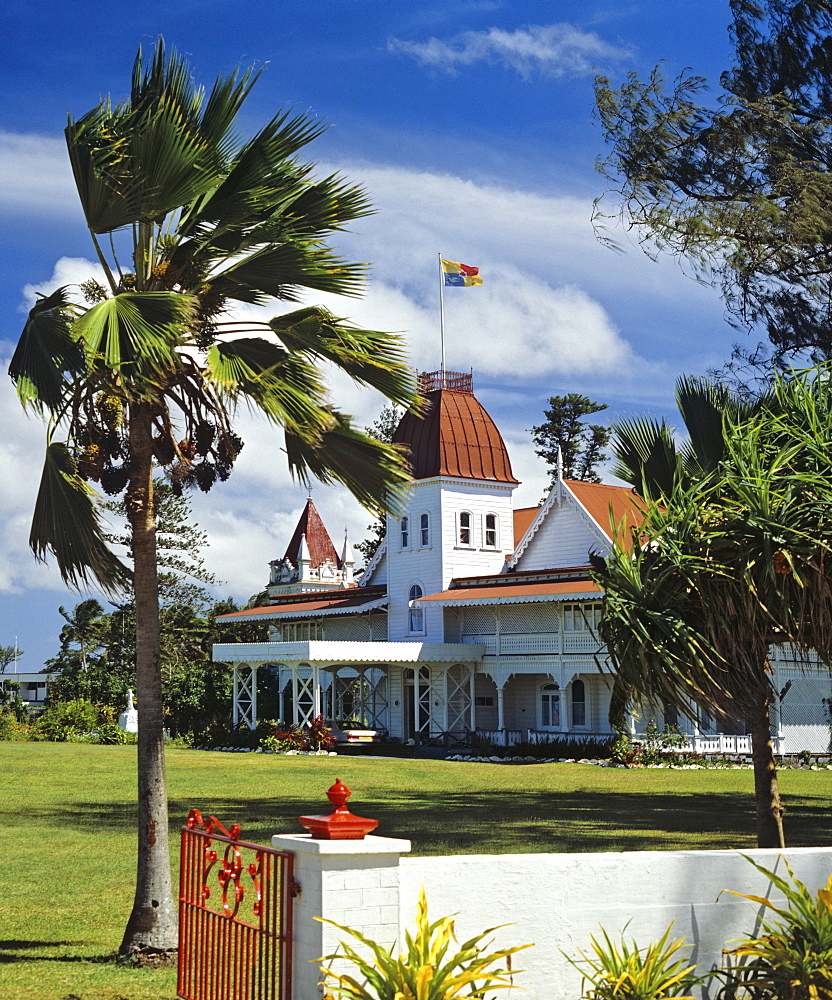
{"x":354,"y":883}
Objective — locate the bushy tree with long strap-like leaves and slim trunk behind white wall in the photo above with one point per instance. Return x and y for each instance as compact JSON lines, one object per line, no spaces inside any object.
{"x":731,"y":559}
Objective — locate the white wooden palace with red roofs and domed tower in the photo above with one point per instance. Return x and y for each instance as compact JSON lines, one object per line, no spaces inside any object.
{"x":472,"y":616}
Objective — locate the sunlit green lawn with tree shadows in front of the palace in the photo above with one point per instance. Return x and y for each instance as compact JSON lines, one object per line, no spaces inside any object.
{"x":66,"y":880}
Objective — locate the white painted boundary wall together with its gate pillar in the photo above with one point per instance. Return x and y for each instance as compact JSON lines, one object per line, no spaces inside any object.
{"x":555,"y":901}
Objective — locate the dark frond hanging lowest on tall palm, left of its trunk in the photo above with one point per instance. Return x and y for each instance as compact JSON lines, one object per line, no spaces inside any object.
{"x":66,"y":524}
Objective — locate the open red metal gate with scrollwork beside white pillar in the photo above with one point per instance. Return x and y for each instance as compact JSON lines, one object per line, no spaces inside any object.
{"x":235,"y":918}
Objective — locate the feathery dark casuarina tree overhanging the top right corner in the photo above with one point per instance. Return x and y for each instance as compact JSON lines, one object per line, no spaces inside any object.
{"x":738,"y":186}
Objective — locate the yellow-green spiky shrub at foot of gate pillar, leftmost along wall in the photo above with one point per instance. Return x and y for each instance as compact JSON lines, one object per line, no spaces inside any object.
{"x":424,"y":970}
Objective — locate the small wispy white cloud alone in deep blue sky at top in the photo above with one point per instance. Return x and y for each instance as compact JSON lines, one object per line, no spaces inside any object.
{"x":553,"y":50}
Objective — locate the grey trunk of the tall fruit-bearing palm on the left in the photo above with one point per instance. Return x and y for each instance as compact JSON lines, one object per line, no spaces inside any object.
{"x":152,"y":926}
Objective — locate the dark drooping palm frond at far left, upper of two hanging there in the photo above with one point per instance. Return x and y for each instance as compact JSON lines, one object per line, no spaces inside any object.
{"x":46,"y":353}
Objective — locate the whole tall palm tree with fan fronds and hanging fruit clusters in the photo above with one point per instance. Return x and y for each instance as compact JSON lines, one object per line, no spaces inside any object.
{"x":152,"y":365}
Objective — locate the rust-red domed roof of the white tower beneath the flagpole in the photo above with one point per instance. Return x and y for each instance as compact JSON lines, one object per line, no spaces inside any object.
{"x":455,"y":436}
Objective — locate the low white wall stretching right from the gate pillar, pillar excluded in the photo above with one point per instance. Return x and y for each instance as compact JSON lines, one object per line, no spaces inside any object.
{"x":557,"y":901}
